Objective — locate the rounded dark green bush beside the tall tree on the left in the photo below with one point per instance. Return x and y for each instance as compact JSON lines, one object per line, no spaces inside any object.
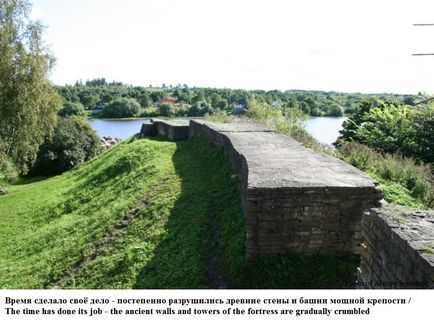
{"x":73,"y":142}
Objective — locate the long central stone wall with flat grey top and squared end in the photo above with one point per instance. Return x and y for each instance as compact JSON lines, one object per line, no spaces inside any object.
{"x":293,"y":199}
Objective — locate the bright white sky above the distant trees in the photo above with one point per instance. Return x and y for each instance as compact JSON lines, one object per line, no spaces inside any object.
{"x":343,"y":45}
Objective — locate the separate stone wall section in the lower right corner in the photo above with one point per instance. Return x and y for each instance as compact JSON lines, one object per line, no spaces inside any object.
{"x":398,"y":248}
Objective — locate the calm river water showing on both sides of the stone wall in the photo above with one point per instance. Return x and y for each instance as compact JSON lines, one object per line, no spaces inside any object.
{"x":323,"y":129}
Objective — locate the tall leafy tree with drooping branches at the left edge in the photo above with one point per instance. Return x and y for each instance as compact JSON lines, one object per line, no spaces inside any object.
{"x":28,"y":102}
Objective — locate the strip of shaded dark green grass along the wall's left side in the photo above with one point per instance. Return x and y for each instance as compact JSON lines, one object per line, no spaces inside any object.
{"x":179,"y":259}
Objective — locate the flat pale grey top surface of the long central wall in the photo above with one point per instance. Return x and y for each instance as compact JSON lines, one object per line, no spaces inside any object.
{"x":277,"y":161}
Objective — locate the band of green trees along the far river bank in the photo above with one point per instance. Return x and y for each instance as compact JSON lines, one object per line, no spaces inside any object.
{"x":100,"y":98}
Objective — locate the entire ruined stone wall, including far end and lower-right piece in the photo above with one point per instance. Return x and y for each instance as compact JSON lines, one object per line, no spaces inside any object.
{"x":298,"y":200}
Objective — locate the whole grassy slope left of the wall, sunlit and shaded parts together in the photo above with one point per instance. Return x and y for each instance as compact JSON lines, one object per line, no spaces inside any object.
{"x":144,"y":214}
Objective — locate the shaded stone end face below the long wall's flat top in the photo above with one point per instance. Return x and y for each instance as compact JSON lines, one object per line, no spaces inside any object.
{"x":307,"y":220}
